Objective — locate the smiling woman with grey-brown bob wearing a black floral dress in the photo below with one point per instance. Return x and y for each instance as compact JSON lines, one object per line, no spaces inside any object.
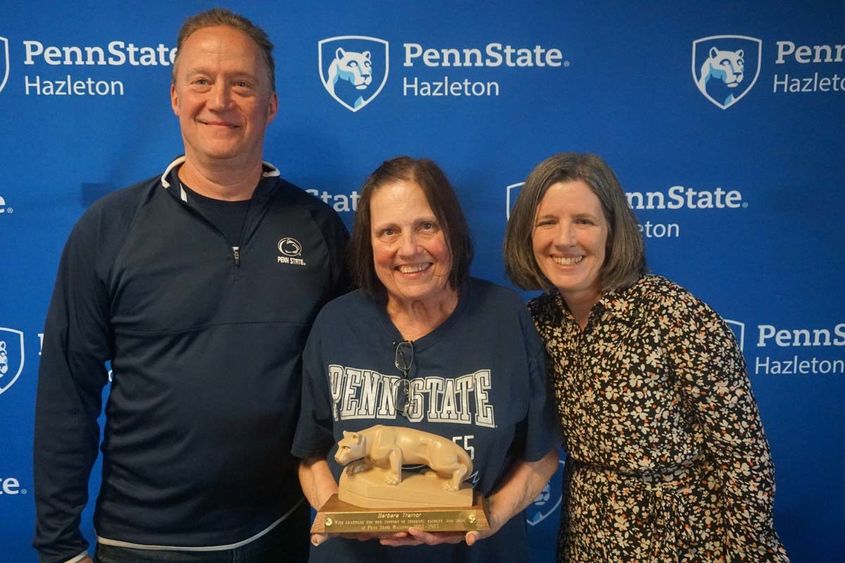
{"x":667,"y":457}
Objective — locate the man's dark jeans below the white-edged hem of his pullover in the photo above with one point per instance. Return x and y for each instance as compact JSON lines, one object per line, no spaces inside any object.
{"x":286,"y":543}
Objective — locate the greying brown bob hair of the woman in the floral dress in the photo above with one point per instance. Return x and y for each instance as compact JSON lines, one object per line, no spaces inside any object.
{"x":624,"y":255}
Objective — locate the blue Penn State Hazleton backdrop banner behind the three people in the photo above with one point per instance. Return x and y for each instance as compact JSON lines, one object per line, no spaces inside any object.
{"x":738,"y":184}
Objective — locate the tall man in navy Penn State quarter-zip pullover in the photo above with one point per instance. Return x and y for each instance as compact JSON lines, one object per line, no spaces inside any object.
{"x":199,"y":286}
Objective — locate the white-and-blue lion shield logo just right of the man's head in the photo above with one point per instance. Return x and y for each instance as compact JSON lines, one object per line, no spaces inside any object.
{"x":353,"y":68}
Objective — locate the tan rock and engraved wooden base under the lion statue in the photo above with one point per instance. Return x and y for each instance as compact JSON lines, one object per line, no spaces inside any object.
{"x":365,"y":503}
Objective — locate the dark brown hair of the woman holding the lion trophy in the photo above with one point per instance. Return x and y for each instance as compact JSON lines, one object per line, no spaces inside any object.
{"x":443,"y":202}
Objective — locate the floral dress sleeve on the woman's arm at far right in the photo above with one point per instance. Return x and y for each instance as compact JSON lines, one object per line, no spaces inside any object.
{"x":707,"y":362}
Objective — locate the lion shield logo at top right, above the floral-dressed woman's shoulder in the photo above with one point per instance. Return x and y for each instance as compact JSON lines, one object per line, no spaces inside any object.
{"x":726,"y":67}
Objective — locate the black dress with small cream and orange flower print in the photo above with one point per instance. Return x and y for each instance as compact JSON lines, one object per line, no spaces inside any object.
{"x":667,"y":457}
